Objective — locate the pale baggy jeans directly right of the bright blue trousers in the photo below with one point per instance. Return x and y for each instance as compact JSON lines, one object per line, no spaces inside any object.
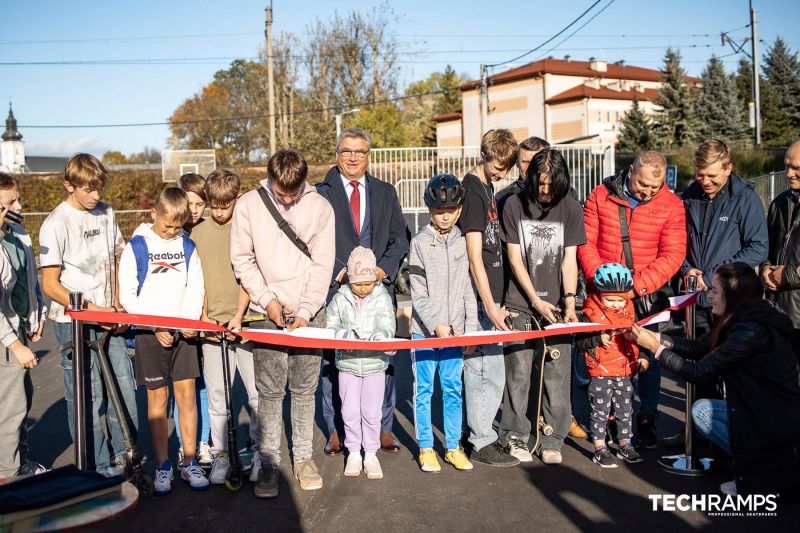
{"x":484,"y":381}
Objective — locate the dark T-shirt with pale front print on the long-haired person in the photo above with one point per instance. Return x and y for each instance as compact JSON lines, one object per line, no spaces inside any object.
{"x":542,"y":240}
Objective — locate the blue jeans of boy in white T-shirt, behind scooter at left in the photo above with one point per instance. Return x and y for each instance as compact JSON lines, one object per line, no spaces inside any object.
{"x":123,"y":373}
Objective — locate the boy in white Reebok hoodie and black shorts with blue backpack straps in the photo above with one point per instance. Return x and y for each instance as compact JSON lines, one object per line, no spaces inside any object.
{"x":160,"y":274}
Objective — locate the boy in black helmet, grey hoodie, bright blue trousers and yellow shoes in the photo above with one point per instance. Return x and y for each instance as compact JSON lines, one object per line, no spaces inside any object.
{"x":443,"y":305}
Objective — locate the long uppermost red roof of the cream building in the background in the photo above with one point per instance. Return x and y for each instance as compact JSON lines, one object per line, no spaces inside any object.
{"x":567,"y":67}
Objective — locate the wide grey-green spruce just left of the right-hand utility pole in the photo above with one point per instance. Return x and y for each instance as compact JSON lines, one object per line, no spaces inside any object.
{"x":718,"y":110}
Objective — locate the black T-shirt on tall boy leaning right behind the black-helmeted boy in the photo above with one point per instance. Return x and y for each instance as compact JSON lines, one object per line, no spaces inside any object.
{"x":479,"y":213}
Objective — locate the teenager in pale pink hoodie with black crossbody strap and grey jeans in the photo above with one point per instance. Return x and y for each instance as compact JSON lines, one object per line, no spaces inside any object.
{"x":288,"y":281}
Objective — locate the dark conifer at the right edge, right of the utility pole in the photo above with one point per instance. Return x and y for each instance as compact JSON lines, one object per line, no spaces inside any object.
{"x":782,"y":72}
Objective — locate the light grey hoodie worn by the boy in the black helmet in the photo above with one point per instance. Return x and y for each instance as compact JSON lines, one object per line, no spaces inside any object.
{"x":441,"y":290}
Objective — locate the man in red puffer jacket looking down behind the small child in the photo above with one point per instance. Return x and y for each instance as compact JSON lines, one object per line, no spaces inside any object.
{"x":657,"y":229}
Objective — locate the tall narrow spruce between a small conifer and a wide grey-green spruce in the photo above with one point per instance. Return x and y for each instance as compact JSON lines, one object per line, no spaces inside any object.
{"x":674,"y":124}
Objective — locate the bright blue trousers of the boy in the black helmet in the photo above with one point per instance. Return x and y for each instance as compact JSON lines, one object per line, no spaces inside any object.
{"x":424,"y":363}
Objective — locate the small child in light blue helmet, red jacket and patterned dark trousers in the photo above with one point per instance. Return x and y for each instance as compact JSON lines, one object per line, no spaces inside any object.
{"x":611,"y":360}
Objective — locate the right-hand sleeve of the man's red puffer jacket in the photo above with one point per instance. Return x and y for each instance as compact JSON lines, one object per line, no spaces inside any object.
{"x":671,"y":251}
